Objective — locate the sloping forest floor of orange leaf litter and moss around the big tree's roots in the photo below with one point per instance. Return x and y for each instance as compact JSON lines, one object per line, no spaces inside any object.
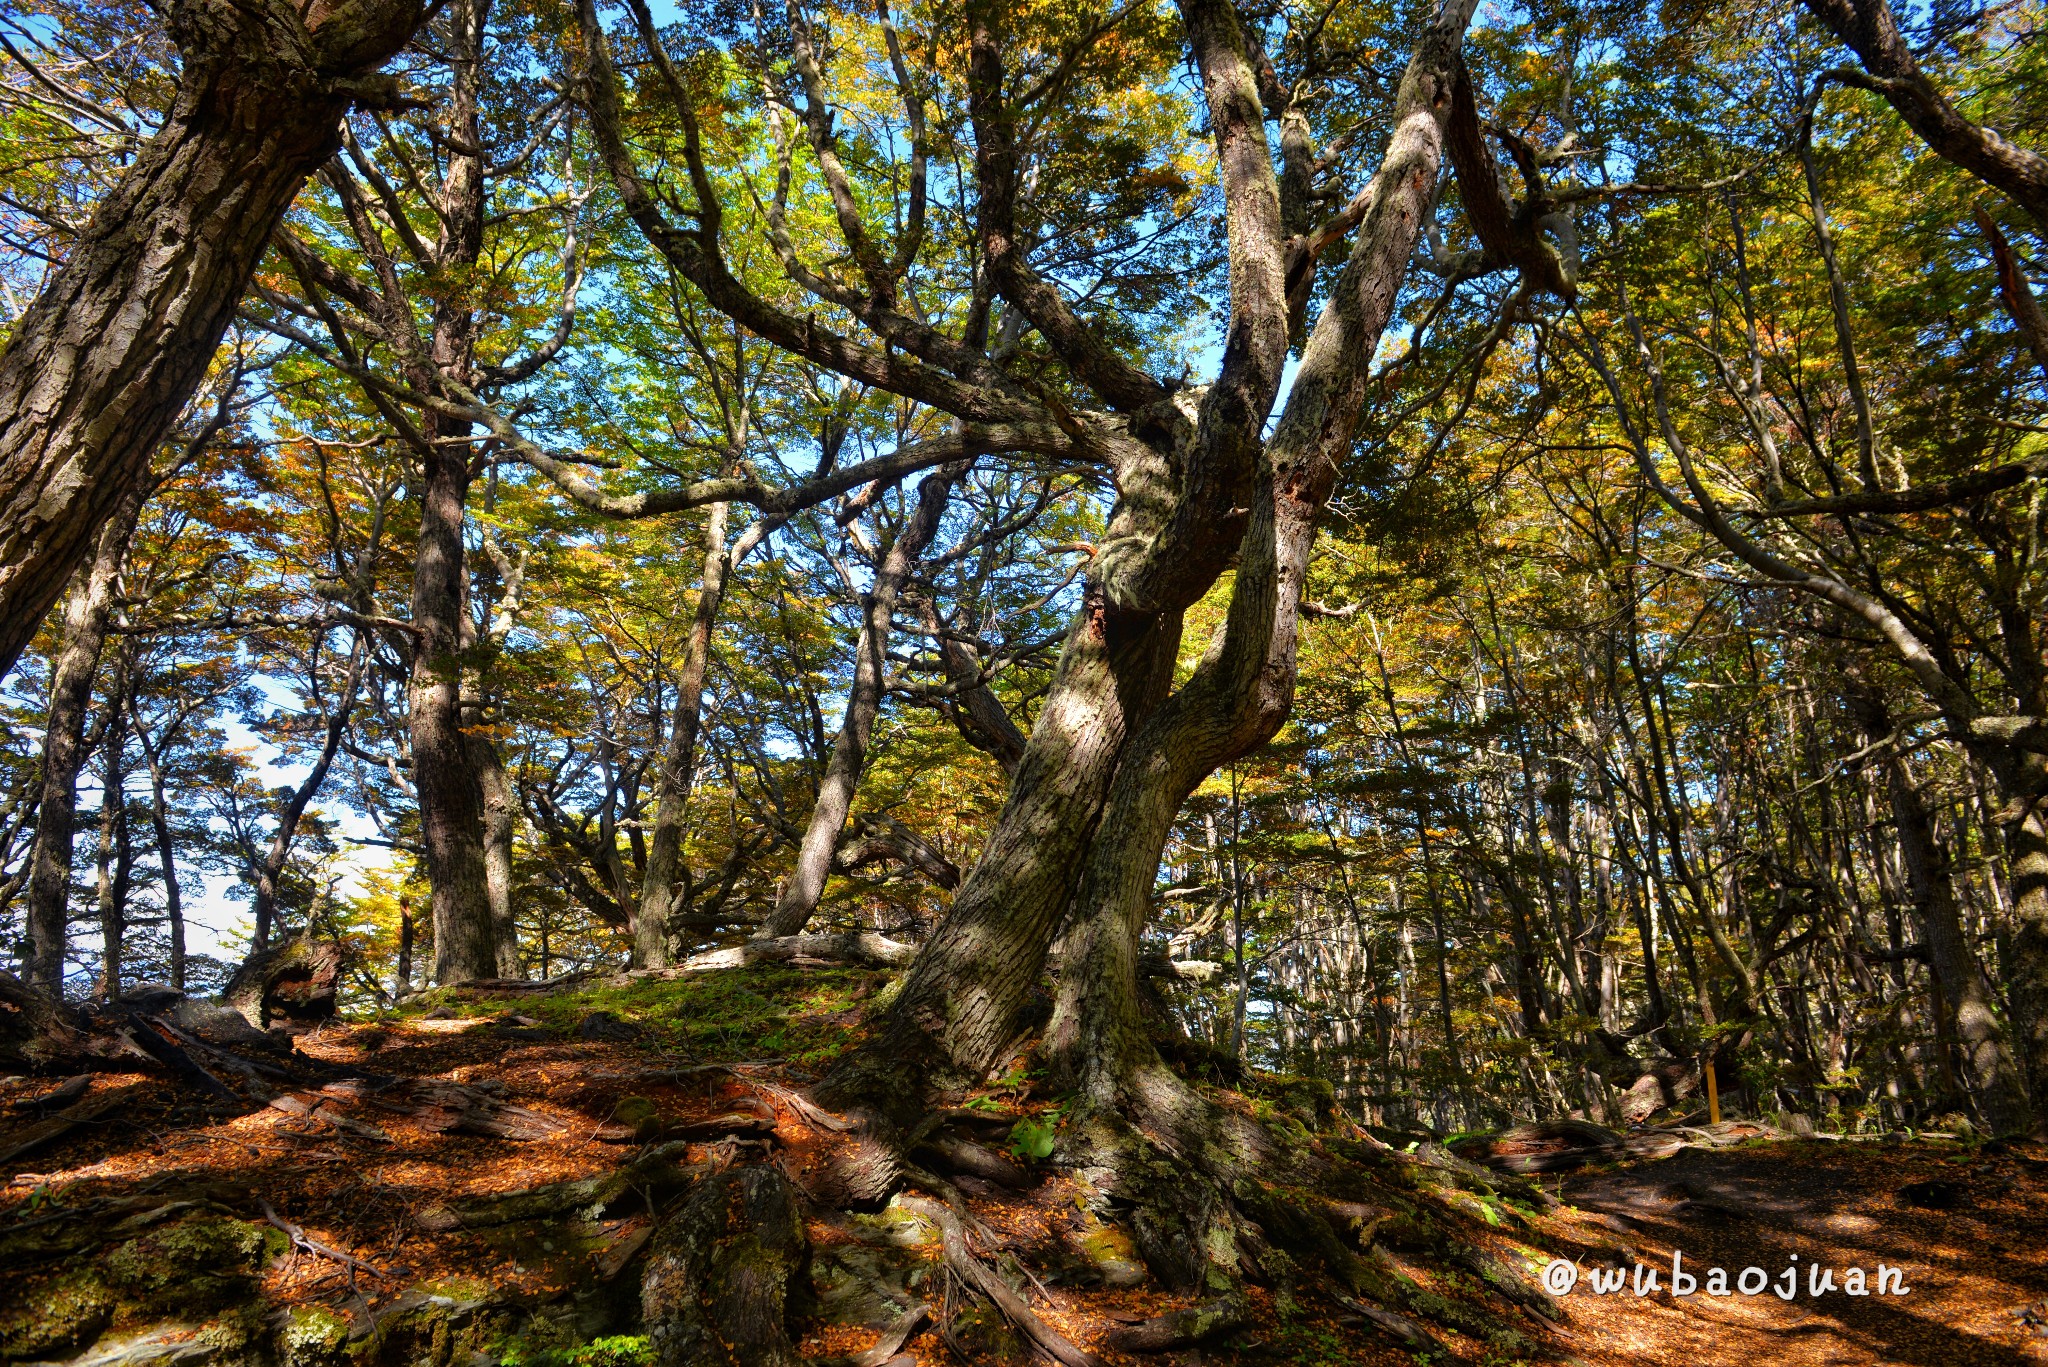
{"x":413,"y":1208}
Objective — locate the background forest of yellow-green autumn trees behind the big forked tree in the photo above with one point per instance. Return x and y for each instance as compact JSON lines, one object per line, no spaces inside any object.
{"x":513,"y":604}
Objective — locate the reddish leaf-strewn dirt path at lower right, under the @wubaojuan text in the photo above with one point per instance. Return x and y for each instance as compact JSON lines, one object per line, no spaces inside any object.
{"x":1969,"y":1231}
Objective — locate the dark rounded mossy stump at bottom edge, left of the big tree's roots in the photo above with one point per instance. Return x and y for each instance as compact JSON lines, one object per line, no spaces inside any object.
{"x":718,"y":1274}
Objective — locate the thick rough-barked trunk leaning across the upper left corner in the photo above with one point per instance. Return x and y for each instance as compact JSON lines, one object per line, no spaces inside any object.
{"x":108,"y":356}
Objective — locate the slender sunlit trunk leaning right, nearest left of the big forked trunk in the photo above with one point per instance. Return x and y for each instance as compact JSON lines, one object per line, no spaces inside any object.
{"x":863,"y":704}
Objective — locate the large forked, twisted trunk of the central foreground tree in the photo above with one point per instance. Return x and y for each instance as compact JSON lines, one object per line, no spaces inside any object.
{"x":1113,"y":757}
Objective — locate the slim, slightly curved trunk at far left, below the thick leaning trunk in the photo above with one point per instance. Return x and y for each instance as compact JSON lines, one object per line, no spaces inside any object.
{"x":65,"y":737}
